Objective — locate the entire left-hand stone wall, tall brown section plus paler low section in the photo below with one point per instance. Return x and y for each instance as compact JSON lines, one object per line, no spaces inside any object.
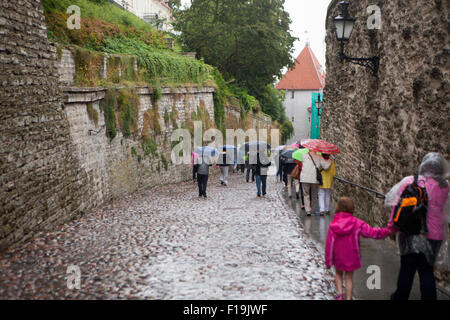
{"x":56,"y":161}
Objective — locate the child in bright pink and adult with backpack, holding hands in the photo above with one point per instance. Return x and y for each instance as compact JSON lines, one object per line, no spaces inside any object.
{"x":418,"y":251}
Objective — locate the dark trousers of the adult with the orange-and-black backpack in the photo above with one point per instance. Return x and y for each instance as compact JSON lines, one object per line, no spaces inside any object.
{"x":409,"y":264}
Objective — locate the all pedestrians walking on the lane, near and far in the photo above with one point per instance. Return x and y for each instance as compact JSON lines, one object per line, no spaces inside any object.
{"x":342,"y":249}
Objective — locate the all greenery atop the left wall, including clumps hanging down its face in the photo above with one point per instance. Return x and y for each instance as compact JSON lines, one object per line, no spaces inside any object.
{"x":106,"y":28}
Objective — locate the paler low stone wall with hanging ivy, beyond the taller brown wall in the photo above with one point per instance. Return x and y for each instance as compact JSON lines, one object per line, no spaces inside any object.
{"x":113,"y":168}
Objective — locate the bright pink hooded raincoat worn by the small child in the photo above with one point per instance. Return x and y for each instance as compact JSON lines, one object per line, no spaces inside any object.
{"x":342,"y":247}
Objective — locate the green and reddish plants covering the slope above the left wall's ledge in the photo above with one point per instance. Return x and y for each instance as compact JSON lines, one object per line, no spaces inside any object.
{"x":108,"y":28}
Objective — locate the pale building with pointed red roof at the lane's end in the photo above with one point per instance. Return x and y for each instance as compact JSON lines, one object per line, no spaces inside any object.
{"x":299,"y":83}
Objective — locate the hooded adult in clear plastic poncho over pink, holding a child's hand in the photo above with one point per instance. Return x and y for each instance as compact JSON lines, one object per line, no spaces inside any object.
{"x":419,"y":252}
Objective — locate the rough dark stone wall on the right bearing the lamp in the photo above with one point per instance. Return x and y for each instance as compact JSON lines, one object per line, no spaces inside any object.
{"x":386,"y":125}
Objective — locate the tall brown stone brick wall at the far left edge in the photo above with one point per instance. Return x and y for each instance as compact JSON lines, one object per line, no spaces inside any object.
{"x":41,"y":181}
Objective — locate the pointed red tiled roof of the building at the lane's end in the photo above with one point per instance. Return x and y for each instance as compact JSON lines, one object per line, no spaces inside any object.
{"x":307,"y":73}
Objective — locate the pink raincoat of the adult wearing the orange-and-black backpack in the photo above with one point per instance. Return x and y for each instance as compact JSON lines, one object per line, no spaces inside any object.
{"x":437,"y":198}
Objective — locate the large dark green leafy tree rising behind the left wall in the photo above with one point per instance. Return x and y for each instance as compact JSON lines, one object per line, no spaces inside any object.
{"x":248,"y":41}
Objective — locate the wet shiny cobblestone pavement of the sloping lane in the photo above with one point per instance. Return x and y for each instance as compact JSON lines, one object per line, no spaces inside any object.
{"x":166,"y":243}
